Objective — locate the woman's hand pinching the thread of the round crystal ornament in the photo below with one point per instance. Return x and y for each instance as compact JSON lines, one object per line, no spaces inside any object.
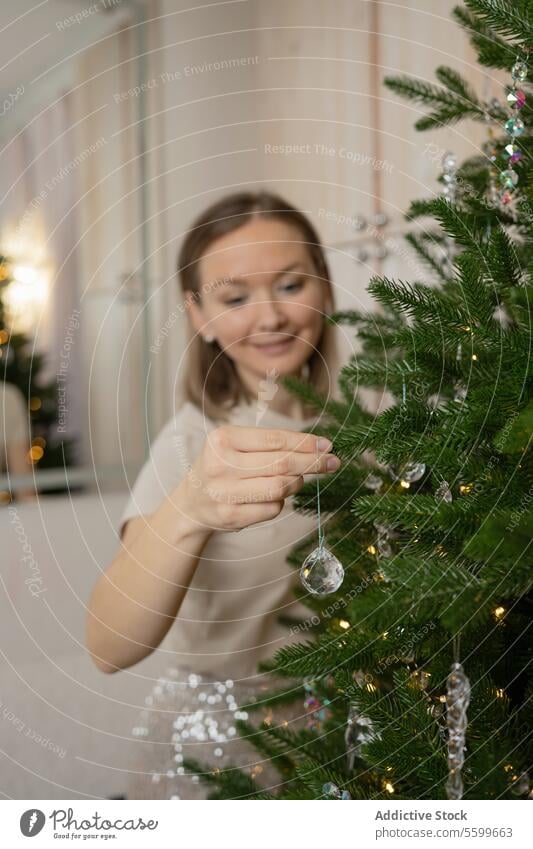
{"x":244,"y":474}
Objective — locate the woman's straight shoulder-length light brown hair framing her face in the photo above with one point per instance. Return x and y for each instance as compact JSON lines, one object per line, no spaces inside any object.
{"x":212,"y":382}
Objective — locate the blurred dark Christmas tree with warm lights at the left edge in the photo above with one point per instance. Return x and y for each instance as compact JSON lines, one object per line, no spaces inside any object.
{"x":22,"y":366}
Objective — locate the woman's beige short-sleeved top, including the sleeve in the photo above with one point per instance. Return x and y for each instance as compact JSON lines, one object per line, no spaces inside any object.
{"x":228,"y":619}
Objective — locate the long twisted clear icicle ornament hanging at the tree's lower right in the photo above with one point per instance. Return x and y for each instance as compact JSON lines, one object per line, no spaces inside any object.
{"x":457,"y":701}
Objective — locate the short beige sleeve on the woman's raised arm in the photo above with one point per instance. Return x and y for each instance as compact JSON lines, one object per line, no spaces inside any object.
{"x":171,"y":456}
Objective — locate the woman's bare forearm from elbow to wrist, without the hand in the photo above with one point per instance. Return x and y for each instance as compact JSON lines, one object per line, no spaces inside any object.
{"x":136,"y":600}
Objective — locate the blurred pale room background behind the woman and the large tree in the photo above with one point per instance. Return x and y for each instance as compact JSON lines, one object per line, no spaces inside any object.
{"x":120,"y":122}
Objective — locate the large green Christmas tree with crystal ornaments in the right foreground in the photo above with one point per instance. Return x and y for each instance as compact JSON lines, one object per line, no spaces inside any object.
{"x":416,"y":673}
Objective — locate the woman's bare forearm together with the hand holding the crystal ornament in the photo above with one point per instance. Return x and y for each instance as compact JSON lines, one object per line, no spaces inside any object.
{"x":245,"y":476}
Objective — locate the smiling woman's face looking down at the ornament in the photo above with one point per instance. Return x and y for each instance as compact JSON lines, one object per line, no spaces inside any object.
{"x":261,"y":298}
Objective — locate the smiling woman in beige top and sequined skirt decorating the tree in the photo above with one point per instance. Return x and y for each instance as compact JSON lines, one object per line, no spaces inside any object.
{"x":257,"y":288}
